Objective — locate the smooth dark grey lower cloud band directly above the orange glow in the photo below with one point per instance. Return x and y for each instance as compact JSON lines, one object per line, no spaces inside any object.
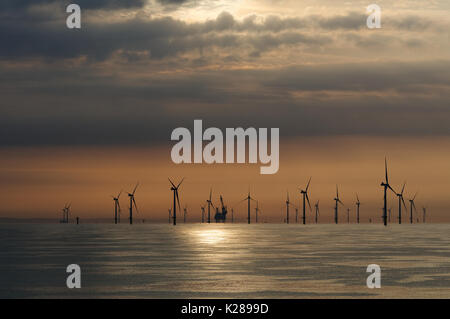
{"x":81,"y":107}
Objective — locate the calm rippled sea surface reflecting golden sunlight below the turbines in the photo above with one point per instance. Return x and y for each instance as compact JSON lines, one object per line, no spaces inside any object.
{"x":224,"y":261}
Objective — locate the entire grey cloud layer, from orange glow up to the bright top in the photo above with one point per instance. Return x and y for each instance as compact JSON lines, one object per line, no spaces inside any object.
{"x":130,"y":77}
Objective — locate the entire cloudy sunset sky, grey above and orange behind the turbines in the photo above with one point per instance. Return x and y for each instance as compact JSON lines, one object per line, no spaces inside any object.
{"x":85,"y":113}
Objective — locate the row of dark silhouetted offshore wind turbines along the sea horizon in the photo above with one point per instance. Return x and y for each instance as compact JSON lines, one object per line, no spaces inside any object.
{"x":221,"y":210}
